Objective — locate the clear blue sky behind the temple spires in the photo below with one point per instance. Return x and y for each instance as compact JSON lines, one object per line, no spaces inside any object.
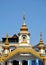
{"x":11,"y":12}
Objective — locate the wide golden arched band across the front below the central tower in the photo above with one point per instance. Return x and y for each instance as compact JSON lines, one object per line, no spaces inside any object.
{"x":22,"y":50}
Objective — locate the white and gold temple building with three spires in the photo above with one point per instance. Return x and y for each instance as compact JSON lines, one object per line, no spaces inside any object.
{"x":17,"y":49}
